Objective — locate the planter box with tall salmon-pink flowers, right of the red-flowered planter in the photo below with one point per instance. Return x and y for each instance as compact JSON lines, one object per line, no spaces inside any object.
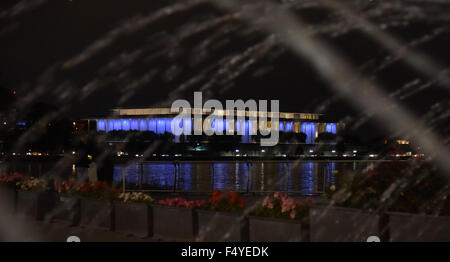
{"x":280,"y":219}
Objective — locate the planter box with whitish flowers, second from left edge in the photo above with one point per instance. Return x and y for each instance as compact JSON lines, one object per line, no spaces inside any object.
{"x":33,"y":198}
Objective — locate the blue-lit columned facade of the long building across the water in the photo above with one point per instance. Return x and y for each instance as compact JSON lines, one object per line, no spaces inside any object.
{"x":161,"y":122}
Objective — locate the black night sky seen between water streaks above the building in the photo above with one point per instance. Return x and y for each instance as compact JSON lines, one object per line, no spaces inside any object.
{"x":57,"y":31}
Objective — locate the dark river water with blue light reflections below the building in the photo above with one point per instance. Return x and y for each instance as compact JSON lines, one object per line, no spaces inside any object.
{"x":308,"y":177}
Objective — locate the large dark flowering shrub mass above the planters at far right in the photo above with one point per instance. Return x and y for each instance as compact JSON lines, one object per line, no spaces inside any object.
{"x":412,"y":187}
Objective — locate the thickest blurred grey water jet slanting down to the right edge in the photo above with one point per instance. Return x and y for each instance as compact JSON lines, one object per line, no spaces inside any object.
{"x":345,"y":80}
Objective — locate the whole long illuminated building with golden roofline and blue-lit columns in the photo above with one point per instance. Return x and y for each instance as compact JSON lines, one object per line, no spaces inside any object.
{"x":159,"y":121}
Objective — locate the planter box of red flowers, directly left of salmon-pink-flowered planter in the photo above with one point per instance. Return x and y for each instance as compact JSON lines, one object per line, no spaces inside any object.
{"x":221,"y":219}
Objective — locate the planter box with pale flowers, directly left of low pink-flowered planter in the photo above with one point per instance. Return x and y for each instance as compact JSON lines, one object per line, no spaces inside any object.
{"x":133,"y":214}
